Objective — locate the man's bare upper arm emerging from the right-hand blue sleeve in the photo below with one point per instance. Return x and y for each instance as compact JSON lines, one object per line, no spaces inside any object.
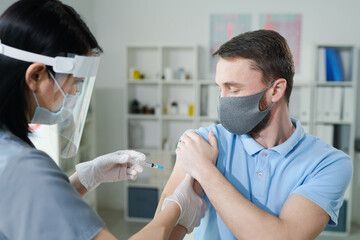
{"x":303,"y":219}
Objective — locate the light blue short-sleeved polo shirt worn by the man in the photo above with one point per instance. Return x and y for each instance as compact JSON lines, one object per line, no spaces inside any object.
{"x":303,"y":165}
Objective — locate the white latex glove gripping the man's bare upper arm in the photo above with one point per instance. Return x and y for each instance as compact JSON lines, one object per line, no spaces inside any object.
{"x":192,"y":206}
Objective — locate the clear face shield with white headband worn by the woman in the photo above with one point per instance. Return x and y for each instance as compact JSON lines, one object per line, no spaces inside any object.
{"x":75,"y":67}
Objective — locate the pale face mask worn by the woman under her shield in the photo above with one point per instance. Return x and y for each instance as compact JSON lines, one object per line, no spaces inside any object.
{"x":45,"y":116}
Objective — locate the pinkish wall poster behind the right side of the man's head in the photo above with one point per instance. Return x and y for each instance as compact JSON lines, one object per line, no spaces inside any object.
{"x":289,"y":26}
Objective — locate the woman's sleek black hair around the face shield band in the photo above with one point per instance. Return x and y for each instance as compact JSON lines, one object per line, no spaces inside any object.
{"x":46,"y":27}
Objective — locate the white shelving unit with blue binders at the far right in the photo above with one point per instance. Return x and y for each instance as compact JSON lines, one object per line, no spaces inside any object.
{"x":333,"y":110}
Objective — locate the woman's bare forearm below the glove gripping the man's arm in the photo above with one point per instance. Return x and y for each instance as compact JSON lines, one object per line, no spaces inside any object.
{"x":162,"y":225}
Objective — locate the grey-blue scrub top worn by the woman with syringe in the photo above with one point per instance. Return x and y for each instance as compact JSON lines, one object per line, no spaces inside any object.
{"x":37,"y":200}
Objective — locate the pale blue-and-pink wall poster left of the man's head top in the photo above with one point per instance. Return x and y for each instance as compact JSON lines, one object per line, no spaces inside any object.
{"x":223,"y":28}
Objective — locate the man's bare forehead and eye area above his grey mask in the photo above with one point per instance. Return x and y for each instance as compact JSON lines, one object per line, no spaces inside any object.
{"x":237,"y":72}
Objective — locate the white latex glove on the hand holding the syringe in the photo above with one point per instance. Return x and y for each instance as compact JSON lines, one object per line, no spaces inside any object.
{"x":111,"y":167}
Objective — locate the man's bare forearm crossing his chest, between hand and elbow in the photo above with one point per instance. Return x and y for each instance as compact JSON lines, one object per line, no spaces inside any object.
{"x":244,"y":219}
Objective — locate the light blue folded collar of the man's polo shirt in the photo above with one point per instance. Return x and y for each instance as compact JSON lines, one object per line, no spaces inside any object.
{"x":252,"y":147}
